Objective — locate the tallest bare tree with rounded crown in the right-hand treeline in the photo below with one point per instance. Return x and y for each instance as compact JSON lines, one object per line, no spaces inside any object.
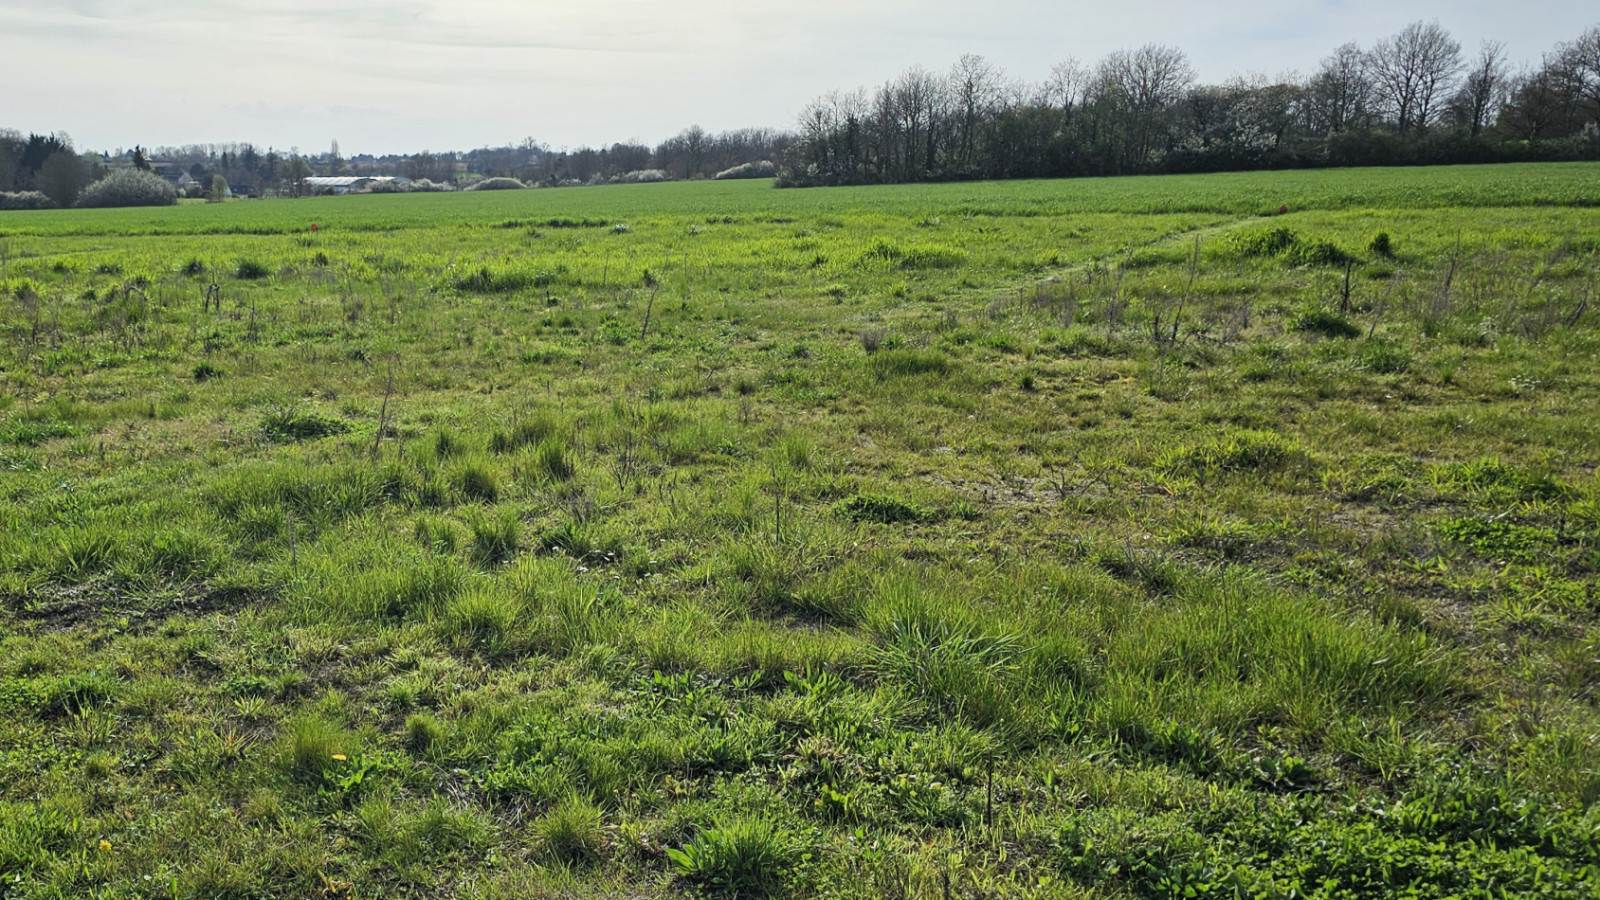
{"x":1414,"y":73}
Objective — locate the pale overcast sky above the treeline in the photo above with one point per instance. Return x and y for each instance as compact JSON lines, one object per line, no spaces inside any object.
{"x":406,"y":76}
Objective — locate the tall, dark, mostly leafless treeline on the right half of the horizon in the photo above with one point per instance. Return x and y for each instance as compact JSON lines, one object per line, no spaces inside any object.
{"x":1415,"y":98}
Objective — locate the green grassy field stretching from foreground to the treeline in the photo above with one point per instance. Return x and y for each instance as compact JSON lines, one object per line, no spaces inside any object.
{"x":1084,"y":539}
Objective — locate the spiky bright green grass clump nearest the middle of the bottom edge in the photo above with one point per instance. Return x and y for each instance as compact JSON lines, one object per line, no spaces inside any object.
{"x":746,"y":858}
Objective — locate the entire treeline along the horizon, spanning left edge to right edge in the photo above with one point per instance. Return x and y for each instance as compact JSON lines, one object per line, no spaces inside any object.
{"x":1414,"y":98}
